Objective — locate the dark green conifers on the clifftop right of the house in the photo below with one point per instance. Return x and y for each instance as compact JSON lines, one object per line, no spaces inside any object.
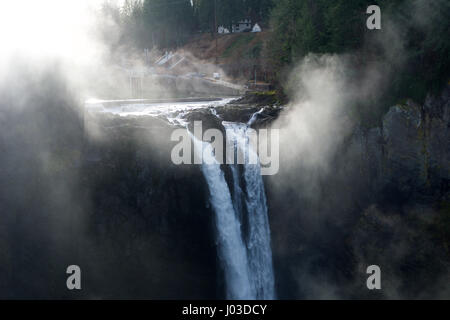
{"x":412,"y":42}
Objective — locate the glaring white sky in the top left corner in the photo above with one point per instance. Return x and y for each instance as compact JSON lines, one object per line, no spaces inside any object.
{"x":45,"y":27}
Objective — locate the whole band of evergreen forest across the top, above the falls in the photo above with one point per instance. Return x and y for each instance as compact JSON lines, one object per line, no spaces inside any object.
{"x":412,"y":45}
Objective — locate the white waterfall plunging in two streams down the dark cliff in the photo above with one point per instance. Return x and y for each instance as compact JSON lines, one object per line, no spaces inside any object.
{"x":245,"y":253}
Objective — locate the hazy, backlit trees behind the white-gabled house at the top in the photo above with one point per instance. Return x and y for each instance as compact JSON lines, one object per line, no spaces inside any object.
{"x":169,"y":24}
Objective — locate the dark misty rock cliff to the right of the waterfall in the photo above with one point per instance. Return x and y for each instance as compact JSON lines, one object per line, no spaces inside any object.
{"x":384,"y":201}
